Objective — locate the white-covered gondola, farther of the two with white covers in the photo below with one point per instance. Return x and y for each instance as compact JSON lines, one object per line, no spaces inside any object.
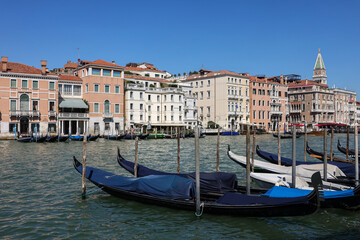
{"x":303,"y":171}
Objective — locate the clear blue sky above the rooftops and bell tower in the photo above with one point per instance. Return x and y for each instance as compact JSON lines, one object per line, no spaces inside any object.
{"x":259,"y":37}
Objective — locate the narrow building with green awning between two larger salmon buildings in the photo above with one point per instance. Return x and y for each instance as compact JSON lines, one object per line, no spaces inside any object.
{"x":73,"y":113}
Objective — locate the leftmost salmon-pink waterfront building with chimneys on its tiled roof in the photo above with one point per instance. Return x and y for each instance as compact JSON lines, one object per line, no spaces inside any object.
{"x":28,"y":99}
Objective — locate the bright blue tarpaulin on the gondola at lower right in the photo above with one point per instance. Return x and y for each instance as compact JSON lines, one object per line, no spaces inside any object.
{"x":293,"y":192}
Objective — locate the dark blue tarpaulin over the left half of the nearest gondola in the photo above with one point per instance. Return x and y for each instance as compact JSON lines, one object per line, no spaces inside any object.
{"x":165,"y":186}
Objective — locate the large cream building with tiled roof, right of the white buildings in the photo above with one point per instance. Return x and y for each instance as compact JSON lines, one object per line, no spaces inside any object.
{"x":222,"y":97}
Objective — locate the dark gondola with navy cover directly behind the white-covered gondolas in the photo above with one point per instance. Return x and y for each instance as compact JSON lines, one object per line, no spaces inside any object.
{"x":346,"y":168}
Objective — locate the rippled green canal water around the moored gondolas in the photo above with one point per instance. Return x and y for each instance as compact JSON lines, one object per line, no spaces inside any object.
{"x":40,"y":194}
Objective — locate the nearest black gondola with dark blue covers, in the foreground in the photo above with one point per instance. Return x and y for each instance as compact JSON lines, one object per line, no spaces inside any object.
{"x":180,"y":194}
